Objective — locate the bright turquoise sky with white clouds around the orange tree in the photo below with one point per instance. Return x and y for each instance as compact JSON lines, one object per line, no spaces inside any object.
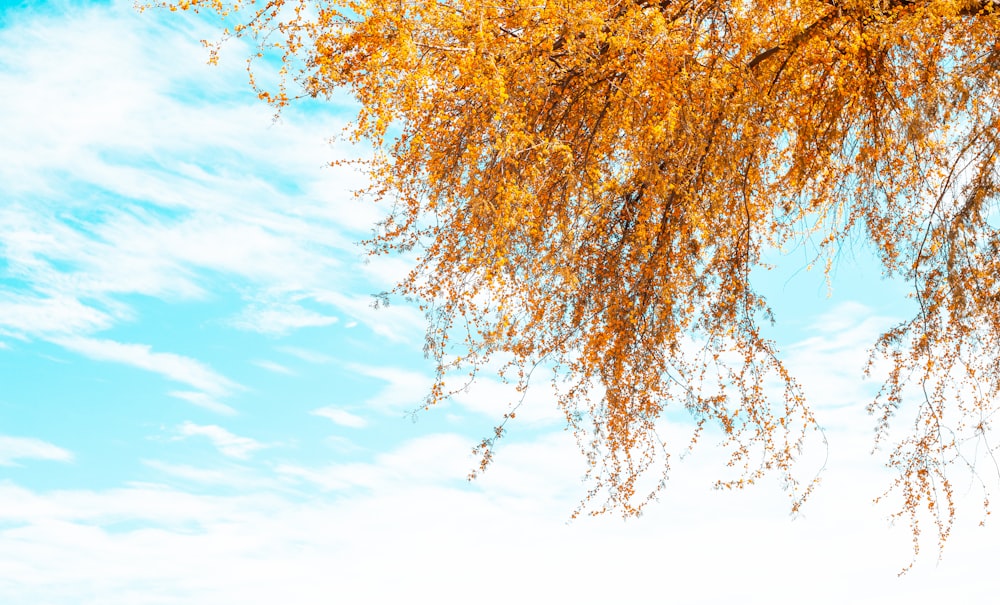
{"x":199,"y":404}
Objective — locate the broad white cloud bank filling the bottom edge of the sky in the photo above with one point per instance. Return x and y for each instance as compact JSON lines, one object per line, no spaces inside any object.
{"x":259,"y":548}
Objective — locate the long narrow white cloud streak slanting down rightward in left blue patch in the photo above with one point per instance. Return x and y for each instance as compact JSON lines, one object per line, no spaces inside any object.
{"x":169,"y":365}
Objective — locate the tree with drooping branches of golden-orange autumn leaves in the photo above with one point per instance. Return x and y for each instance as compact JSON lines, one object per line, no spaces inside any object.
{"x":588,"y":186}
